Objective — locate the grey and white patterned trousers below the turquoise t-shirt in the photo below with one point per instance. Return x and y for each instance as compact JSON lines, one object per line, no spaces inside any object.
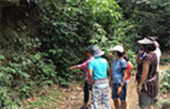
{"x":100,"y":95}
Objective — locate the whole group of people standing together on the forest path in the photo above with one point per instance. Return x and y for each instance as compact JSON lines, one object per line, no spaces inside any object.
{"x":98,"y":78}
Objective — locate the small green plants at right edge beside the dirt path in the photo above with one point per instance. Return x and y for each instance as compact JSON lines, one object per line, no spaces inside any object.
{"x":165,"y":81}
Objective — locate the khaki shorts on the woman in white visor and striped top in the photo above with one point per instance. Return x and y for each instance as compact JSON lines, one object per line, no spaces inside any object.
{"x":145,"y":101}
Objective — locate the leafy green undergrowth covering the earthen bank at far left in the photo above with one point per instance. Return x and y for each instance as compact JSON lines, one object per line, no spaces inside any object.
{"x":24,"y":69}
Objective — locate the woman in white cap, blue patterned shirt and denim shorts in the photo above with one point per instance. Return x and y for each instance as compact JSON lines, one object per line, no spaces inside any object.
{"x":118,"y":78}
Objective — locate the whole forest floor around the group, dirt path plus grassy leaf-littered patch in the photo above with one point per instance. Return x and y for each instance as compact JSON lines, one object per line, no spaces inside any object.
{"x":72,"y":97}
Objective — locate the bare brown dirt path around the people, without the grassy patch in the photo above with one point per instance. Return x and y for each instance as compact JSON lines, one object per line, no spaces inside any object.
{"x":73,"y":97}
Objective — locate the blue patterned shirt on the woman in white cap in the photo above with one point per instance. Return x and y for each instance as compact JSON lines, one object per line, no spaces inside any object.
{"x":117,"y":72}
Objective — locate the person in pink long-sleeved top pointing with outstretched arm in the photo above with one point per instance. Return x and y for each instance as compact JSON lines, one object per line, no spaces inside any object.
{"x":84,"y":66}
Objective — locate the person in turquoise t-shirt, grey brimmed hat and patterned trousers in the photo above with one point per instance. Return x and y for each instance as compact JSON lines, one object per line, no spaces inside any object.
{"x":98,"y":69}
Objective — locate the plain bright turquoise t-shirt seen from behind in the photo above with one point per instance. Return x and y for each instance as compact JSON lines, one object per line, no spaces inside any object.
{"x":99,"y":66}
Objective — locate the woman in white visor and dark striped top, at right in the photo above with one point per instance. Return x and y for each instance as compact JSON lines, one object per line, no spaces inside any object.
{"x":147,"y":78}
